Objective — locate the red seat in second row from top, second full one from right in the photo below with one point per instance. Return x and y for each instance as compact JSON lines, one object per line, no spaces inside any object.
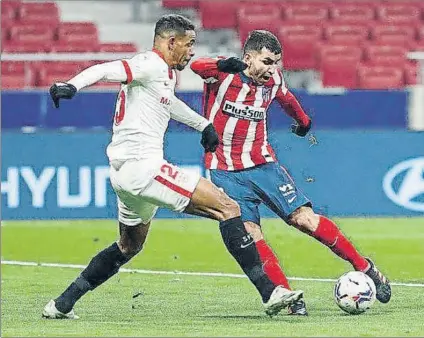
{"x":346,"y":34}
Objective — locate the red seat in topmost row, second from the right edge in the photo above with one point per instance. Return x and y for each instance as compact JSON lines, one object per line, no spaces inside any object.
{"x":352,"y":14}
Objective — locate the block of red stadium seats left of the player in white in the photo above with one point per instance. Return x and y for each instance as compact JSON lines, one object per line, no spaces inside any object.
{"x":29,"y":27}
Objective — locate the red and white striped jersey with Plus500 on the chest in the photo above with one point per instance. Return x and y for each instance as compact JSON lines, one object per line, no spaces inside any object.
{"x":237,"y":107}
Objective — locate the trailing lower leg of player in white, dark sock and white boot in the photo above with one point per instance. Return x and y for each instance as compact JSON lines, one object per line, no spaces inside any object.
{"x":103,"y":266}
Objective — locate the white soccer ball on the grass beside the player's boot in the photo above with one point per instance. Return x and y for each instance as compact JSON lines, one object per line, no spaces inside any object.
{"x":354,"y":292}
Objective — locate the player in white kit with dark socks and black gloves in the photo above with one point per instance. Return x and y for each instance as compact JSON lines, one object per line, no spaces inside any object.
{"x":143,"y":180}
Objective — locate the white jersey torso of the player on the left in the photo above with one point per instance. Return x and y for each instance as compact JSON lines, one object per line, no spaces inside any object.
{"x":142,"y":110}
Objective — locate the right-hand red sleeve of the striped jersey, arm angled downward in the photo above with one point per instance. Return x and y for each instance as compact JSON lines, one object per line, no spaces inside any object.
{"x":290,"y":104}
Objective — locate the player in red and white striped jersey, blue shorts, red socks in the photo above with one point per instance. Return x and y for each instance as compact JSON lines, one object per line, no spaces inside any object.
{"x":237,"y":95}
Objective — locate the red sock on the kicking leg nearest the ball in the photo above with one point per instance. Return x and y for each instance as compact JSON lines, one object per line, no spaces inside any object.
{"x":329,"y":234}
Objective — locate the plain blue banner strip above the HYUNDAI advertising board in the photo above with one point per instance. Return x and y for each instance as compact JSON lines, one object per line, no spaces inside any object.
{"x":353,"y":109}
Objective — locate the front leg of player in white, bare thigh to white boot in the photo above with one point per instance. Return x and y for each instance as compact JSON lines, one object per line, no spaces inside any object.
{"x":207,"y":200}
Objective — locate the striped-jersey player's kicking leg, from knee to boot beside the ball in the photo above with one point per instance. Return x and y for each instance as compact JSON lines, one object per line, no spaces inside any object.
{"x":327,"y":232}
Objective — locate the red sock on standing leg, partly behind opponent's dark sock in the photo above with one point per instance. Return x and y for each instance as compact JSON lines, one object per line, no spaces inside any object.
{"x":270,"y":264}
